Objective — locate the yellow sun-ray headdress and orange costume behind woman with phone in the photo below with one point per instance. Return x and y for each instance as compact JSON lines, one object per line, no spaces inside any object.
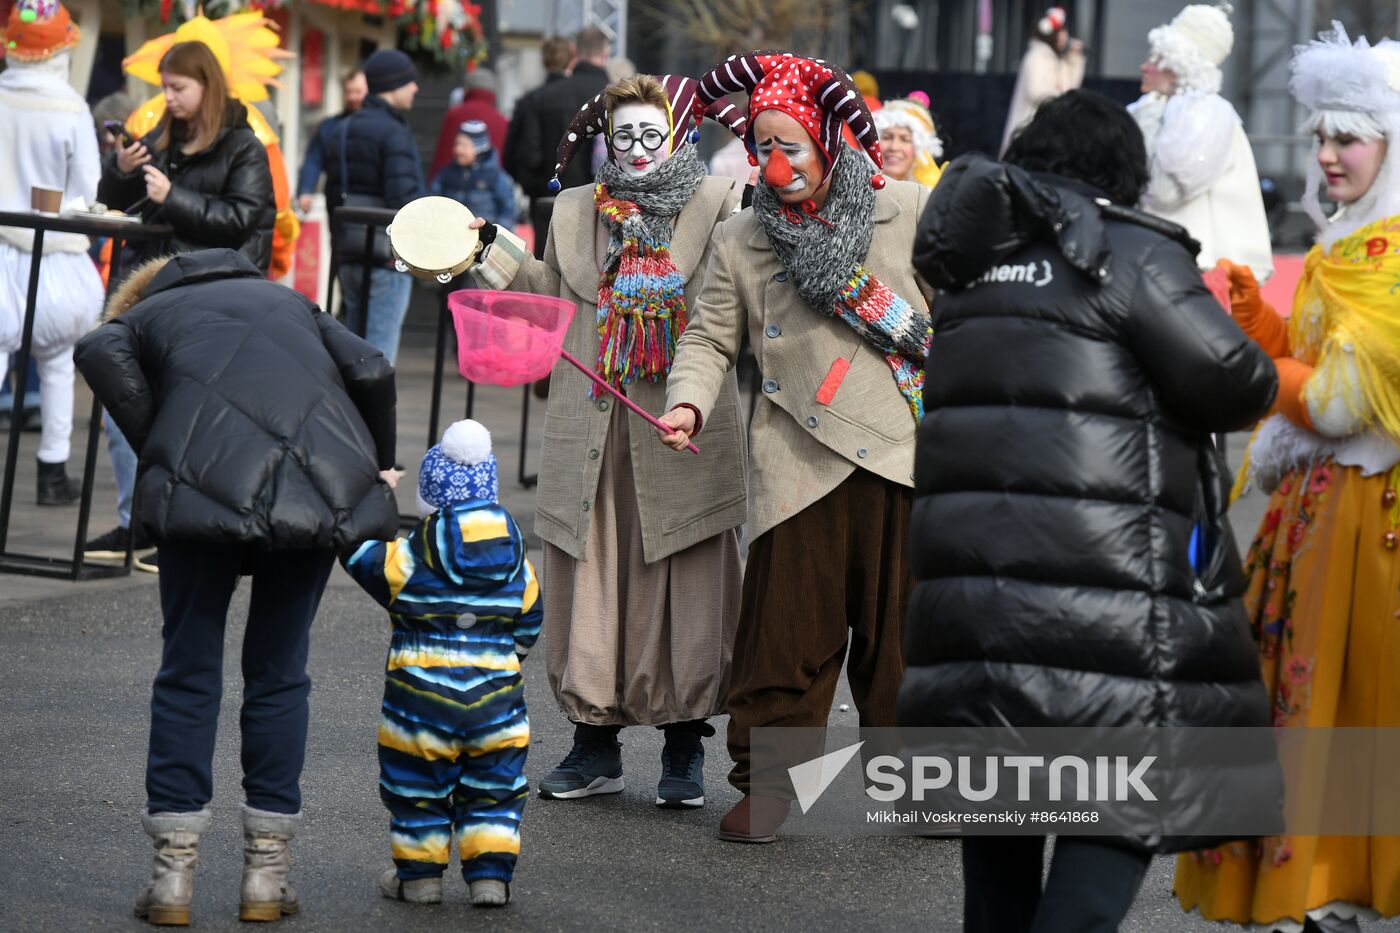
{"x":247,"y":48}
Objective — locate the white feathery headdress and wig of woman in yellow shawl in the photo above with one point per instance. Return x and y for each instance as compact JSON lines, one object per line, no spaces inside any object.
{"x":1350,"y":89}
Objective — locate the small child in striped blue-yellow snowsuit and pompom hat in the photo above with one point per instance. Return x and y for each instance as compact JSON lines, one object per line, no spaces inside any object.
{"x":465,"y":609}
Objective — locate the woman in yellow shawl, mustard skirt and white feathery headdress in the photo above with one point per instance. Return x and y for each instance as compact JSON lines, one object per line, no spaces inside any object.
{"x":1325,"y":568}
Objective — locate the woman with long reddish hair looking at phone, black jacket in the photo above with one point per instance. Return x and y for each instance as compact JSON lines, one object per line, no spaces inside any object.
{"x":202,"y":170}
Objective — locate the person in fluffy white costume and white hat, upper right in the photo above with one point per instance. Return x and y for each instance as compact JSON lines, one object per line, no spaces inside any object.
{"x":1203,"y":172}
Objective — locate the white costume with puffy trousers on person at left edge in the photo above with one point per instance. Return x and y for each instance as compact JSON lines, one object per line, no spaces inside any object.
{"x":47,"y":138}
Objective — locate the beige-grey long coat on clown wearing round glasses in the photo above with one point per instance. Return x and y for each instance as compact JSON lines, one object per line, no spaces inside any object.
{"x":682,"y":501}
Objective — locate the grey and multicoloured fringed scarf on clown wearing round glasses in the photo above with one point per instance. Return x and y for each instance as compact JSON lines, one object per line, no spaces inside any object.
{"x":642,"y":296}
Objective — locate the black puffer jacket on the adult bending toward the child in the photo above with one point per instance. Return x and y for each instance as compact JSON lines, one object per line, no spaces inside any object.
{"x":258,"y":418}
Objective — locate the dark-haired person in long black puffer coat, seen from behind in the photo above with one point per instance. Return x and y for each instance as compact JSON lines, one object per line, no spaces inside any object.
{"x":1079,"y":368}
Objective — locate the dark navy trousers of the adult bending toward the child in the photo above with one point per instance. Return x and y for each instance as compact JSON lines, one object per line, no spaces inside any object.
{"x":198,"y":582}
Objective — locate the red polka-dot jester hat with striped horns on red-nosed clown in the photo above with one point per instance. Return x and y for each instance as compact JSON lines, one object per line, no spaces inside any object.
{"x":817,"y":95}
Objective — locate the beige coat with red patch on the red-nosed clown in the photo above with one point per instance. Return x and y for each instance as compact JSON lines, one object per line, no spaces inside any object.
{"x":801,"y":450}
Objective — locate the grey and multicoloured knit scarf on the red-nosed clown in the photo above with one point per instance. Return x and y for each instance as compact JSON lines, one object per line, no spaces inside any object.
{"x":825,"y":254}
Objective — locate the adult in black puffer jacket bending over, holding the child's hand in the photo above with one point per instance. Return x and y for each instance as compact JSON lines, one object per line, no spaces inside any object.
{"x":265,"y":434}
